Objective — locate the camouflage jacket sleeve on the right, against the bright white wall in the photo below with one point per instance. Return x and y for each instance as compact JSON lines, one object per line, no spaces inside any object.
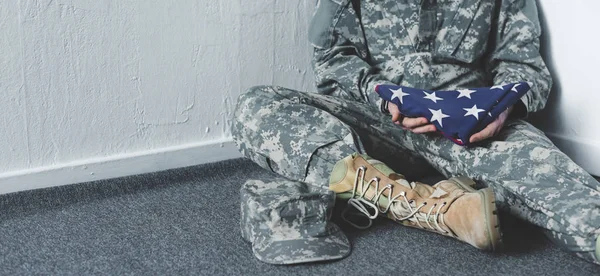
{"x":516,"y":56}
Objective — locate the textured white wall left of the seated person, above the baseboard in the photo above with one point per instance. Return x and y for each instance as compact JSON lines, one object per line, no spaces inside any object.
{"x":93,"y":79}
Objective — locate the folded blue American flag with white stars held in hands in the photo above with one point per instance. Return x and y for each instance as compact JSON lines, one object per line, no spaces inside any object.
{"x":457,"y":114}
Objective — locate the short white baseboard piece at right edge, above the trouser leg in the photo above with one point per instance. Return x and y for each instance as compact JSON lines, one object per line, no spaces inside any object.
{"x":586,"y":153}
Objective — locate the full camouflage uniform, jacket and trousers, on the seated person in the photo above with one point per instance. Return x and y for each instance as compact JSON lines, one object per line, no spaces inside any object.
{"x":429,"y":44}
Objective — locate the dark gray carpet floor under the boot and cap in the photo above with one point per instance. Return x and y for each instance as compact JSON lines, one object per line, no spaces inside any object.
{"x":186,"y":221}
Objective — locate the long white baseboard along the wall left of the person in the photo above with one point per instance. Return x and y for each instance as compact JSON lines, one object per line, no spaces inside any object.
{"x":118,"y":166}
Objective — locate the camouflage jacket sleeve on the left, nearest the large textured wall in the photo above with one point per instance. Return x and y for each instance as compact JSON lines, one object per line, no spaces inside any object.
{"x":340,"y":53}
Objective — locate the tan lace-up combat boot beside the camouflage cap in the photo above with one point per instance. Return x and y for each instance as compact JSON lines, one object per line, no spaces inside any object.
{"x":451,"y":207}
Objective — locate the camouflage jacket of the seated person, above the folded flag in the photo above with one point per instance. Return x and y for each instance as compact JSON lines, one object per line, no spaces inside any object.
{"x":429,"y":44}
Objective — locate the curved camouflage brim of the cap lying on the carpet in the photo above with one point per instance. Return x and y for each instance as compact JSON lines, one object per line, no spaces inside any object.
{"x":310,"y":249}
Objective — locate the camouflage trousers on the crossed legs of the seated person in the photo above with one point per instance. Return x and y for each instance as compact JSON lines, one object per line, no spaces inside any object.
{"x":302,"y":135}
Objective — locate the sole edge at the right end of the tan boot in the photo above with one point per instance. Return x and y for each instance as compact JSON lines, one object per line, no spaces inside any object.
{"x":491,"y":216}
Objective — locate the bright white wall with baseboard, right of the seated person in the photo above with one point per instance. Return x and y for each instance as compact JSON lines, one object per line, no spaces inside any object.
{"x":572,"y":116}
